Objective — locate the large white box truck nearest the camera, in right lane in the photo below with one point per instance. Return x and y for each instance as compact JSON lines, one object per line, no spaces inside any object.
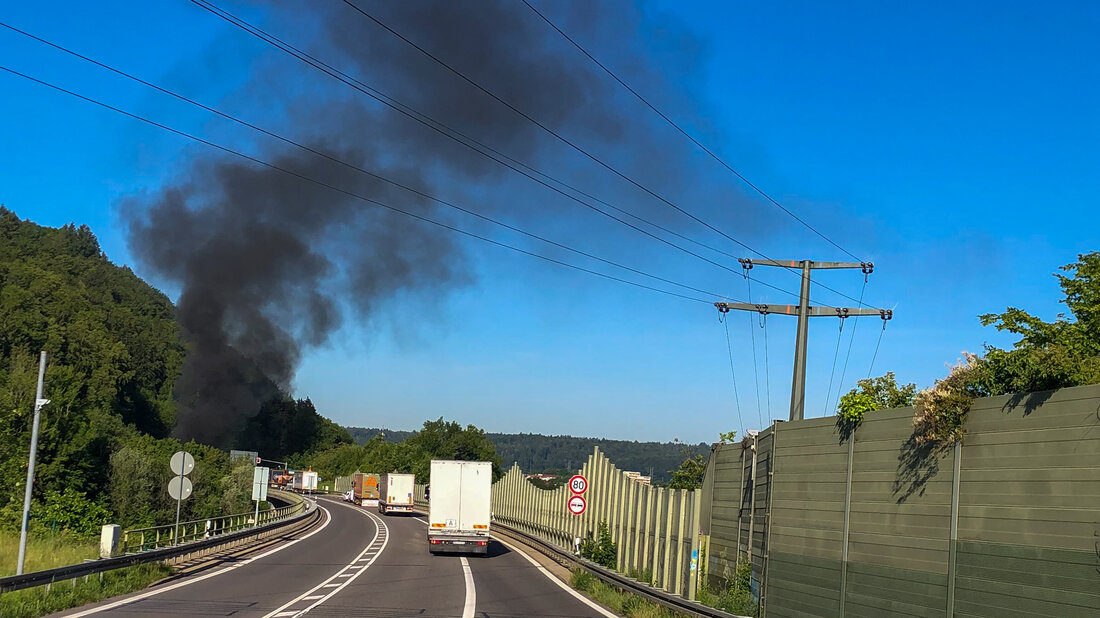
{"x":460,"y":510}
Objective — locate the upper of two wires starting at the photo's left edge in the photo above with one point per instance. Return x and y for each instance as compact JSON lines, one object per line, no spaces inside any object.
{"x":356,"y":168}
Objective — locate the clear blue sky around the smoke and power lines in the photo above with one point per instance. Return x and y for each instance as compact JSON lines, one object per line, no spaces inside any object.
{"x":952,"y":145}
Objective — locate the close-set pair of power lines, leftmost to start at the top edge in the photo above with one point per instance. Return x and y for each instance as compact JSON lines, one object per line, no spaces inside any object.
{"x":460,"y":138}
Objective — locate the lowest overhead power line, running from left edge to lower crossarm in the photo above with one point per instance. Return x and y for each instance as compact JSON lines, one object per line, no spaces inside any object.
{"x":345,"y":192}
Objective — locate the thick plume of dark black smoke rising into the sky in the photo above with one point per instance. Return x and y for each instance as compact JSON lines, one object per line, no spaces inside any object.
{"x":270,"y":267}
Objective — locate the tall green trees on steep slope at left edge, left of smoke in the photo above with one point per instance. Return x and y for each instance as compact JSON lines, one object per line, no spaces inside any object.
{"x":114,"y":354}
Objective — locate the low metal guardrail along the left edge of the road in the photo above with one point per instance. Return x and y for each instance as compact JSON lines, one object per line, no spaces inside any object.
{"x":103,"y":566}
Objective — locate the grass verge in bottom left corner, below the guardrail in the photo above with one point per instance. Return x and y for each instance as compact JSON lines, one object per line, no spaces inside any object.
{"x":75,"y":593}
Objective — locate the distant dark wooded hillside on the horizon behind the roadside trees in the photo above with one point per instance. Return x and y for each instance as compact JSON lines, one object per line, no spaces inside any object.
{"x":535,"y":453}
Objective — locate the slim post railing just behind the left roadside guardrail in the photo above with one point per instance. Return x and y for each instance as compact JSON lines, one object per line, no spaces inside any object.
{"x":145,"y":539}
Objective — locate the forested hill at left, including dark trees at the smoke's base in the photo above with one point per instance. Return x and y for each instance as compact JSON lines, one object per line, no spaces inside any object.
{"x":114,"y":354}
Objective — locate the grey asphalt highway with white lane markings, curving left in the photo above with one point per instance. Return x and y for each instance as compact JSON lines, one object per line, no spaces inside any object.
{"x":360,"y":564}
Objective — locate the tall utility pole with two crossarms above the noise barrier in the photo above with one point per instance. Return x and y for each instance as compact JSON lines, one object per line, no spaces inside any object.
{"x":804,"y":311}
